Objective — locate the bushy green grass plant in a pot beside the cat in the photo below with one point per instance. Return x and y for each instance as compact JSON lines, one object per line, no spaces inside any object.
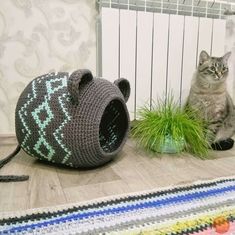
{"x":169,"y":128}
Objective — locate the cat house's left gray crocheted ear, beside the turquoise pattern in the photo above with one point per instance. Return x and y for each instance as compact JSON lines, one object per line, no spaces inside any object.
{"x":75,"y":80}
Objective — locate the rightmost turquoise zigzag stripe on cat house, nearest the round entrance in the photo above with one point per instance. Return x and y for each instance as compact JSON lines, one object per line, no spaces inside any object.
{"x":57,"y":133}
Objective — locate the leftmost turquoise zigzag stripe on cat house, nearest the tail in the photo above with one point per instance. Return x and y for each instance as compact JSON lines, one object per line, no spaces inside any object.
{"x":23,"y":111}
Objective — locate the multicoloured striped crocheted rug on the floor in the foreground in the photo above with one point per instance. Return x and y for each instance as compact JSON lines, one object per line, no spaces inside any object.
{"x":206,"y":207}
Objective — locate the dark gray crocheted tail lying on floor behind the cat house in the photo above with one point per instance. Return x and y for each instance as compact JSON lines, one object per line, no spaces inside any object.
{"x":11,"y":178}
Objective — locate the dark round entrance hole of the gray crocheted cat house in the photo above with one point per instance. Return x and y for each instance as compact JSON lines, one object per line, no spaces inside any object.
{"x":113,"y":126}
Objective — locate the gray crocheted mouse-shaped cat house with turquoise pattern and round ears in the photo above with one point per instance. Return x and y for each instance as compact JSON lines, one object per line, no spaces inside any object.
{"x":75,"y":120}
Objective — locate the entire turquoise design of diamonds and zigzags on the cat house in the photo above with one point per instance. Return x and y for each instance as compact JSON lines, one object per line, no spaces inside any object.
{"x":53,"y":84}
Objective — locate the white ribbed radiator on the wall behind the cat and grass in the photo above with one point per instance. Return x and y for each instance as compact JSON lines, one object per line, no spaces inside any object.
{"x":156,"y":52}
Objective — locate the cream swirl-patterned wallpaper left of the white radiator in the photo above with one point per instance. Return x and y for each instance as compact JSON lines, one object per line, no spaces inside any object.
{"x":40,"y":36}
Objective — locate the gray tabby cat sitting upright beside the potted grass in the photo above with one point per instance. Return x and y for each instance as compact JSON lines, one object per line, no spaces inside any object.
{"x":209,"y":95}
